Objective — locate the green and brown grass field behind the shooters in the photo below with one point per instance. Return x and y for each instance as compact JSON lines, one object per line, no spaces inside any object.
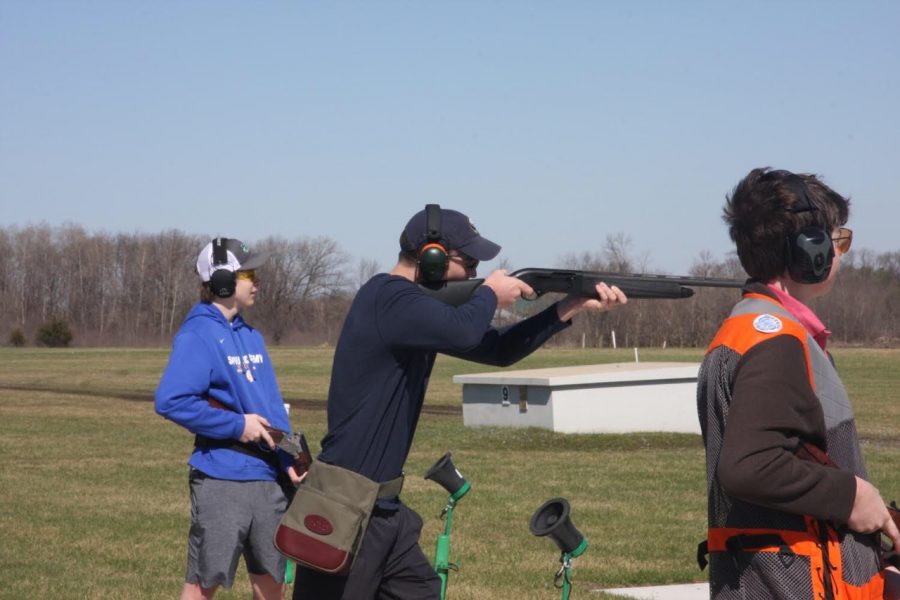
{"x":94,"y":500}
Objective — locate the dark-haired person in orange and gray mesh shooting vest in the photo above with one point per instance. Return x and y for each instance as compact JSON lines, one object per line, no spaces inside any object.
{"x":769,"y":397}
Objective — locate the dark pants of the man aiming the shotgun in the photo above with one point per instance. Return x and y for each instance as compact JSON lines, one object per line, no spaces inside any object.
{"x":391,"y":565}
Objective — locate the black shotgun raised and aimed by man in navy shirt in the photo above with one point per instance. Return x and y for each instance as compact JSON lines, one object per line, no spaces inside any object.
{"x":583,"y":283}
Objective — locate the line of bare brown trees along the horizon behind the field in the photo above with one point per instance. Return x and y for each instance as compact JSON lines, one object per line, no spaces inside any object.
{"x":134,"y":289}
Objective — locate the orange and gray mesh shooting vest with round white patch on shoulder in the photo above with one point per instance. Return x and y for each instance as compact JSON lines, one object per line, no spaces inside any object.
{"x":771,"y":553}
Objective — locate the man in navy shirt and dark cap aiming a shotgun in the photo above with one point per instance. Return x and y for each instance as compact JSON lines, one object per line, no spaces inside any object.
{"x":382,"y":363}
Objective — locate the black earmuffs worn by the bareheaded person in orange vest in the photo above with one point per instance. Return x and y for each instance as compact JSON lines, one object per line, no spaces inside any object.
{"x":809,"y":251}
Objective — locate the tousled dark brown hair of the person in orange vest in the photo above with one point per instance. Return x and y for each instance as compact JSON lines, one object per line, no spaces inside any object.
{"x":765,"y":209}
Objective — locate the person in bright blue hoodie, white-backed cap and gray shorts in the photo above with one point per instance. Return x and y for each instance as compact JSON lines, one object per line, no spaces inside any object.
{"x":220,"y":385}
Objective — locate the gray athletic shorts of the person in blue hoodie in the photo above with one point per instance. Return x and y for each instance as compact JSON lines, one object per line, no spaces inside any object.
{"x":228,"y":519}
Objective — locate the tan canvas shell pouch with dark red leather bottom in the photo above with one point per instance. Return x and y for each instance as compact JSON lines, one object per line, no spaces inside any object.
{"x":324,"y":526}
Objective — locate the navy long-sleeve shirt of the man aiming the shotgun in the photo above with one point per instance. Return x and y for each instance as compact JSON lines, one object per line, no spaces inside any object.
{"x":384,"y":357}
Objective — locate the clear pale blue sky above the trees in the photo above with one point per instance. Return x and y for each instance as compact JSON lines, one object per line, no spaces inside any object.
{"x":552,"y":124}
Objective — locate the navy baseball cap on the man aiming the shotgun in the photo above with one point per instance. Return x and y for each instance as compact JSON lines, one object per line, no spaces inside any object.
{"x":456,"y":233}
